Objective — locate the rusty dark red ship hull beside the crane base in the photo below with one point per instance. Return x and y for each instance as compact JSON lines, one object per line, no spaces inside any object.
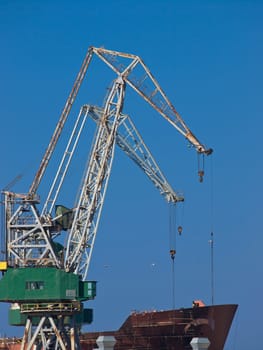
{"x":170,"y":329}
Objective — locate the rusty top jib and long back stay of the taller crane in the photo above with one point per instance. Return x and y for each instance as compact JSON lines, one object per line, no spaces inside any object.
{"x":128,"y":69}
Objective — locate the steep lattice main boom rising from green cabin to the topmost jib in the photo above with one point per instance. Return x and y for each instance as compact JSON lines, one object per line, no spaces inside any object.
{"x":88,"y":210}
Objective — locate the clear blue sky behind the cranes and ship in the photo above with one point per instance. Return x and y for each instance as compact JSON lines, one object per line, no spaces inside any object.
{"x":207,"y":56}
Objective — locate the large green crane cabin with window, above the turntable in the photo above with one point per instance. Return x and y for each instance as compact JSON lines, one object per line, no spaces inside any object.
{"x":39,"y":284}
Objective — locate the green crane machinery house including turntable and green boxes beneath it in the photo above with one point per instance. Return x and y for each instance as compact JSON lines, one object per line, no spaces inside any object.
{"x":34,"y":290}
